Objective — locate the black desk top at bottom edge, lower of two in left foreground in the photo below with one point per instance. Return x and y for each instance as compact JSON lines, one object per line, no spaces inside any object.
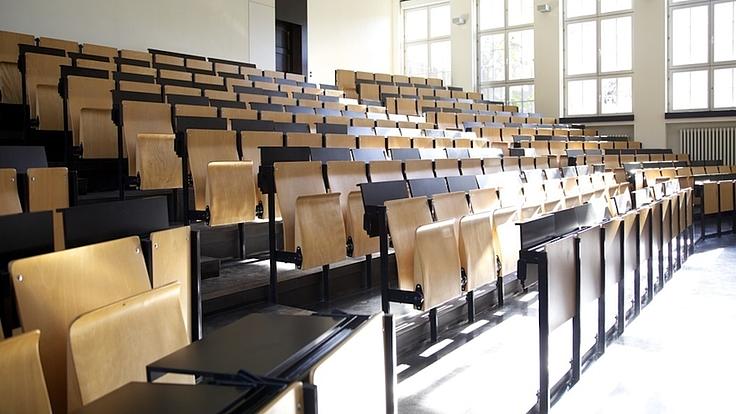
{"x":145,"y":398}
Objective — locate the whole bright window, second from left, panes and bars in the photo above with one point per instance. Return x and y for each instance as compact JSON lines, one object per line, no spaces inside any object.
{"x":506,"y":51}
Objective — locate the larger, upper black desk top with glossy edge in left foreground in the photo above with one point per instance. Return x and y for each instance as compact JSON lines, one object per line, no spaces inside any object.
{"x":261,"y":344}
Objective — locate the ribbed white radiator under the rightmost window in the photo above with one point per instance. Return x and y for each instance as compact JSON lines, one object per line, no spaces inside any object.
{"x":705,"y":144}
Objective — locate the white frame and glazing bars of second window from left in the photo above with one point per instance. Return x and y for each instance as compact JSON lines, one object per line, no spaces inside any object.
{"x":507,"y":83}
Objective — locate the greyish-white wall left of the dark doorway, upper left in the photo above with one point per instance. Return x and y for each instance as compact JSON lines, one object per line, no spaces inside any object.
{"x":216,"y":28}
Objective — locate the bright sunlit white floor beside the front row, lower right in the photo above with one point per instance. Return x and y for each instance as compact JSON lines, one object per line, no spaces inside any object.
{"x":678,"y":356}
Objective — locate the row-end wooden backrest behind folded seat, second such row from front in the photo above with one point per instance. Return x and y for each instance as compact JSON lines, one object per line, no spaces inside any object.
{"x":295,"y":179}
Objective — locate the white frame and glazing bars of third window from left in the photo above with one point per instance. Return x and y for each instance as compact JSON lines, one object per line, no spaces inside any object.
{"x":598,"y":75}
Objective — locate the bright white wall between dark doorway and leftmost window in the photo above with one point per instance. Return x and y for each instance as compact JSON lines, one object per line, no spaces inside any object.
{"x":349,"y":34}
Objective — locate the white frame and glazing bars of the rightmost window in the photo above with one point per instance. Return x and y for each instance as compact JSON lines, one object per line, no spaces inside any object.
{"x":710,"y":66}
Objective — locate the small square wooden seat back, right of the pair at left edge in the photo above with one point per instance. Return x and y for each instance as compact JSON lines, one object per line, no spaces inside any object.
{"x":48,"y":188}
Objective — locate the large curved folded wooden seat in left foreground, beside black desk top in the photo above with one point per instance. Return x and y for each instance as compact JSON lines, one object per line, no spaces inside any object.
{"x":137,"y":331}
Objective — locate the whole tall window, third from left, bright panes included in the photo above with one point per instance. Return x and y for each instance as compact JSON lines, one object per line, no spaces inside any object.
{"x":598,"y":57}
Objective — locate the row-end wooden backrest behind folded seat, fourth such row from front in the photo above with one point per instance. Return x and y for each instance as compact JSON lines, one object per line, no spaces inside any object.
{"x":143,"y":118}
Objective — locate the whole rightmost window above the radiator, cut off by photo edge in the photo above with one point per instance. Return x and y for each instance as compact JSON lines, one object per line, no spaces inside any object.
{"x":702,"y":55}
